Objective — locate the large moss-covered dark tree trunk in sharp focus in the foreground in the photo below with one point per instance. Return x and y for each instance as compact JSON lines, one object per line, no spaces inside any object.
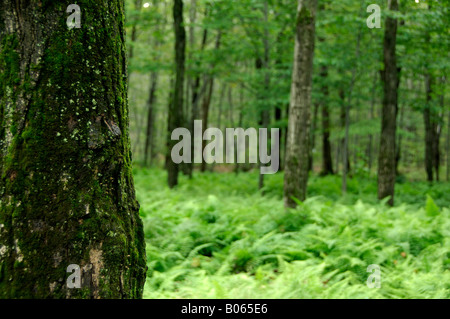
{"x":66,"y":189}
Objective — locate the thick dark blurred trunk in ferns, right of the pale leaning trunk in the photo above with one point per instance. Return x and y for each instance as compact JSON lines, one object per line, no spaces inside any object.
{"x":391,"y":80}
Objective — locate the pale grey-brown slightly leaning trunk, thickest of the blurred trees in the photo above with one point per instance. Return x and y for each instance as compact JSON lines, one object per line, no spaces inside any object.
{"x":296,"y":166}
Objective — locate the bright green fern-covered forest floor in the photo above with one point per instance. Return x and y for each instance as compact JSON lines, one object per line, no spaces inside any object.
{"x":216,"y":236}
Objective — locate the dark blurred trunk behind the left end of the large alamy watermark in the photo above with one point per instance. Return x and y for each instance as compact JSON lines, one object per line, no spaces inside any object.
{"x":175,"y":117}
